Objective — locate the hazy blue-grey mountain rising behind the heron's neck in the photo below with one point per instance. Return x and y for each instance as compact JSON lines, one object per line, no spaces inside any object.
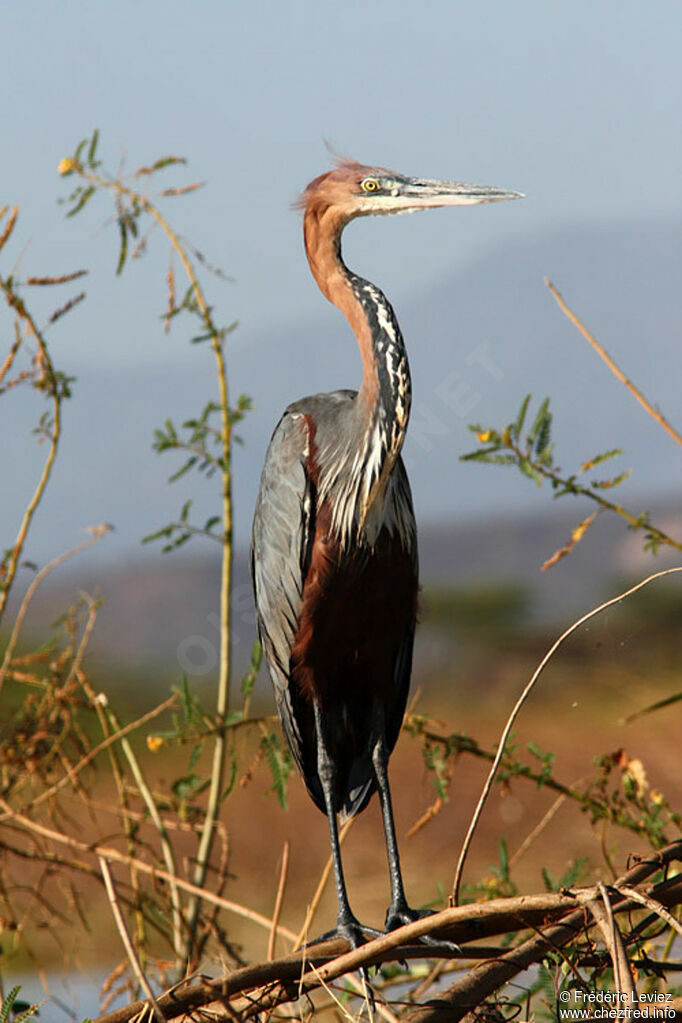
{"x":478,"y":341}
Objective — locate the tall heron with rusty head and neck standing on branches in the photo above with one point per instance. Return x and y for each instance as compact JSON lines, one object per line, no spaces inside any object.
{"x":335,"y":548}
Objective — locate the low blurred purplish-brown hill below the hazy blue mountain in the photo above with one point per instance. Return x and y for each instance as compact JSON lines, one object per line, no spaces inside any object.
{"x":160,"y":614}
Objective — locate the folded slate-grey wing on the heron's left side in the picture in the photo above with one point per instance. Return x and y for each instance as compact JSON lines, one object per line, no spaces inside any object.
{"x":283,"y":535}
